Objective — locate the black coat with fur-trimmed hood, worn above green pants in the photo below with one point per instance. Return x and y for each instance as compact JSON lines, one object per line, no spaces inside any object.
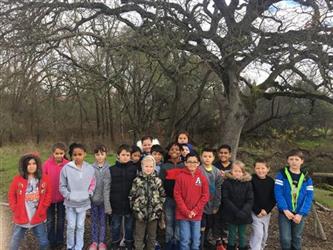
{"x":237,"y":200}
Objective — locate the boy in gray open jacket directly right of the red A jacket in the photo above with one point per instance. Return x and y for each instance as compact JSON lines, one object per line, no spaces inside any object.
{"x":214,"y":178}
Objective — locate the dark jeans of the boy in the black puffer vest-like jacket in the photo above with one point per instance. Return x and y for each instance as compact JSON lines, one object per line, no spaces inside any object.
{"x":116,"y":223}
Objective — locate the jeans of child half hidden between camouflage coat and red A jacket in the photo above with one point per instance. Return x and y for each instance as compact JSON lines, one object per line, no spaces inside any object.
{"x":172,"y":226}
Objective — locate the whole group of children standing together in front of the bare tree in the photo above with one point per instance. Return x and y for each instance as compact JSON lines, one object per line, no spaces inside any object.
{"x":193,"y":200}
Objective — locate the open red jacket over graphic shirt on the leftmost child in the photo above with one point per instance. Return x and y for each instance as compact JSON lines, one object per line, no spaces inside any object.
{"x":16,"y":198}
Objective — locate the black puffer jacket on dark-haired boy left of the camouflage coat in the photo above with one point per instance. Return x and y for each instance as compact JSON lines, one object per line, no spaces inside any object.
{"x":122,"y":176}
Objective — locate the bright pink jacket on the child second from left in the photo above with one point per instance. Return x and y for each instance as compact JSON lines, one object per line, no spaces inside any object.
{"x":52,"y":169}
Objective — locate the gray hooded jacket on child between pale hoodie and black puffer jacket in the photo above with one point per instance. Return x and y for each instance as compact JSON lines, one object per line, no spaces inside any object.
{"x":103,"y":183}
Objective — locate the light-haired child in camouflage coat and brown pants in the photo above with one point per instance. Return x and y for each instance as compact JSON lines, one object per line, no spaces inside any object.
{"x":147,"y":197}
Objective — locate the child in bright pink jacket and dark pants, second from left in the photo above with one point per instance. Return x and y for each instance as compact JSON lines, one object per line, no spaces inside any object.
{"x":56,"y":212}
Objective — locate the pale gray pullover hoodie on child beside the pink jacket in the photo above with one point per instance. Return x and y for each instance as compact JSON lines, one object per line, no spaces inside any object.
{"x":77,"y":185}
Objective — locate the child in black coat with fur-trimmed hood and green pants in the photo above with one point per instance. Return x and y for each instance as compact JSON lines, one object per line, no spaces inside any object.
{"x":237,"y":199}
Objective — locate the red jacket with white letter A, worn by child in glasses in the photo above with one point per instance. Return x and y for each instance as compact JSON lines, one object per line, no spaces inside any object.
{"x":191,"y":193}
